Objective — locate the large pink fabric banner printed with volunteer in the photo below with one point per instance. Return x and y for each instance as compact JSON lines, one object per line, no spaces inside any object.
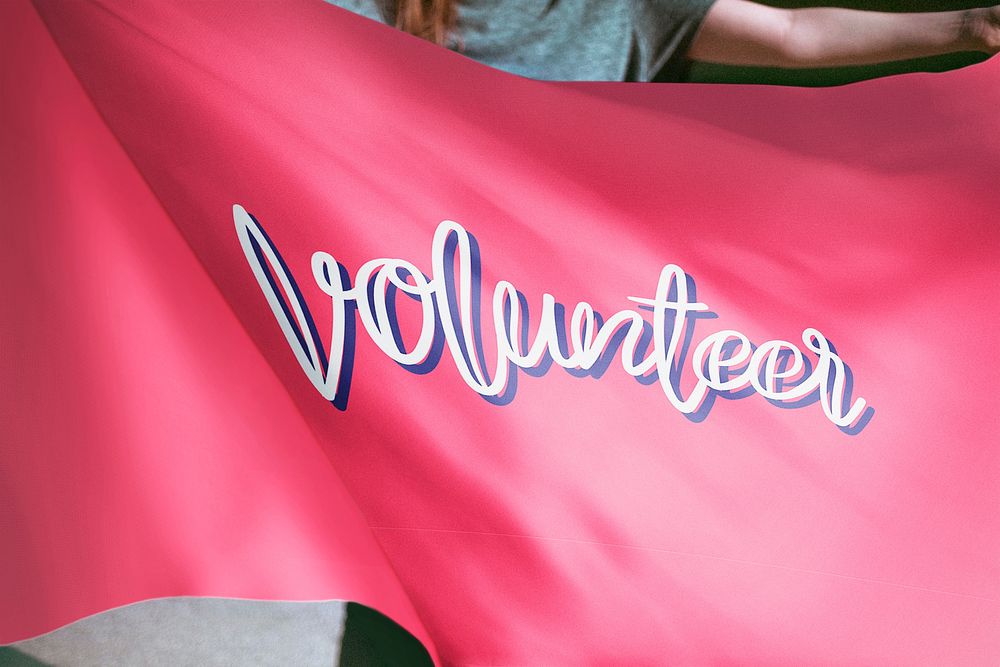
{"x":687,"y":375}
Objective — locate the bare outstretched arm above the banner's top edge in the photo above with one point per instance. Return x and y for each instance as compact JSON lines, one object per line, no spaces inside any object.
{"x":739,"y":32}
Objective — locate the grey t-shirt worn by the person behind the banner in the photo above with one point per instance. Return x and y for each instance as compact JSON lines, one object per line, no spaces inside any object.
{"x":572,"y":40}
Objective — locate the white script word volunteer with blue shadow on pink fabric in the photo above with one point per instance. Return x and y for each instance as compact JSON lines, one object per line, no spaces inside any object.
{"x":723,"y":362}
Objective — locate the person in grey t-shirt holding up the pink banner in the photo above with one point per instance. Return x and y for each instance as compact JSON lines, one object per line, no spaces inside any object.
{"x":658,"y":40}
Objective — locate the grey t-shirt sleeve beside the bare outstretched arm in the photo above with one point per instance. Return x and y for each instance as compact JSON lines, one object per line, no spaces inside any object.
{"x":664,"y":31}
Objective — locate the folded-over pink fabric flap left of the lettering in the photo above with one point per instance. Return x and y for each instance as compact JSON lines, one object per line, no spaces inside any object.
{"x":147,"y":448}
